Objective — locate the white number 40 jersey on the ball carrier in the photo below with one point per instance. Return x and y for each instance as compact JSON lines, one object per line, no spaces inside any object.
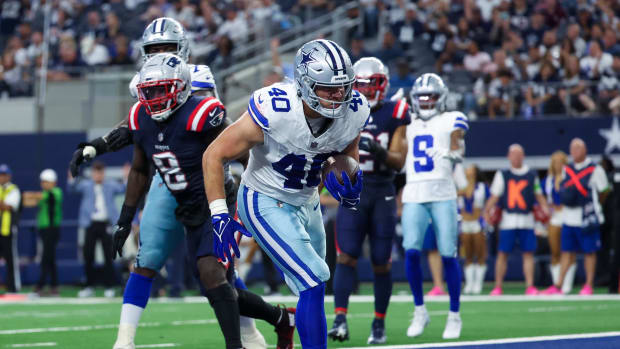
{"x":287,"y":165}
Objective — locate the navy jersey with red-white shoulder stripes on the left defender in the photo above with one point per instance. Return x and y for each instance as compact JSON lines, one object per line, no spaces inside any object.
{"x":175,"y":147}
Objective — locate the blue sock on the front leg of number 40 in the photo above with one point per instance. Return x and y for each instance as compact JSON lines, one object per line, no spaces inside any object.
{"x":310,"y":318}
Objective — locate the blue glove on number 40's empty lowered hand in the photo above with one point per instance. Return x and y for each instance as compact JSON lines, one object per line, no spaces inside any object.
{"x":224,"y":228}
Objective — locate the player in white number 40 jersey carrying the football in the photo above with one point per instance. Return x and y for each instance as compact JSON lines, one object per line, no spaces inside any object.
{"x":290,"y":130}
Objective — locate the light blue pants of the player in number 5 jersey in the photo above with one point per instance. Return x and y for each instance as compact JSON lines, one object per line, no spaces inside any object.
{"x":443,"y":214}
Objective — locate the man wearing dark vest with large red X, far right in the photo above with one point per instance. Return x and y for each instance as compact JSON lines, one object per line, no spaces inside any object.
{"x":584,"y":189}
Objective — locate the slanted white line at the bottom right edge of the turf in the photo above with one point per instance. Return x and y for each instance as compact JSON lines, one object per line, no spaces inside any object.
{"x":496,"y":341}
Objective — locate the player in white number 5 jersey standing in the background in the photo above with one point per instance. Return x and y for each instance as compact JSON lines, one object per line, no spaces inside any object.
{"x":435,"y":141}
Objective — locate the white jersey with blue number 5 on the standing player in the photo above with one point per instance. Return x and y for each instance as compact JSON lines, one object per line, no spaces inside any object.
{"x":431,"y":179}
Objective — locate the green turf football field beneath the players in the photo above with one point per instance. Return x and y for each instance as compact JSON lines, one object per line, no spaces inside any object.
{"x":191,"y":324}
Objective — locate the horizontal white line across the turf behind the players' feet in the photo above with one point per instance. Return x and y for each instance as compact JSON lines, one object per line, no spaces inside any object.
{"x":329,"y":299}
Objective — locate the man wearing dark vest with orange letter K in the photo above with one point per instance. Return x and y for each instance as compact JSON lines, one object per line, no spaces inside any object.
{"x":516,"y":190}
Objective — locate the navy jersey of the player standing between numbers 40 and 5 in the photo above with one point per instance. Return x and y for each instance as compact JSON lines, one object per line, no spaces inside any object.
{"x":383,"y":122}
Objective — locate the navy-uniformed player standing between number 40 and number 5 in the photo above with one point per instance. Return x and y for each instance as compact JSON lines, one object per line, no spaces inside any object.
{"x":383,"y":149}
